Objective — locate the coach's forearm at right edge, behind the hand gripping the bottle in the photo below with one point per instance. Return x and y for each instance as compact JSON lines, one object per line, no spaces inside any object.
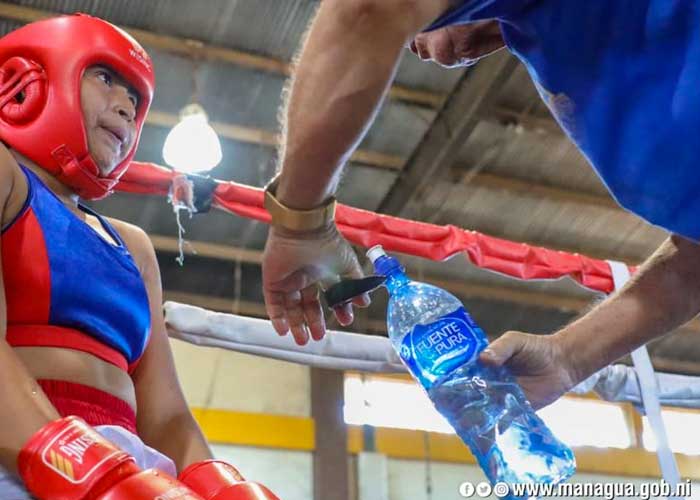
{"x":662,"y":295}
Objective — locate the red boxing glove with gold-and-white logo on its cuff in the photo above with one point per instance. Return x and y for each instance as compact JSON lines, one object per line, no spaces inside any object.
{"x":69,"y":460}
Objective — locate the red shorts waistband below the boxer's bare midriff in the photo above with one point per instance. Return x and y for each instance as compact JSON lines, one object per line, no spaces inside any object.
{"x":94,"y":406}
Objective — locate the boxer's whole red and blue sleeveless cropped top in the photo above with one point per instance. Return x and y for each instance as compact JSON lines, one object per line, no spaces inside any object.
{"x":66,"y":286}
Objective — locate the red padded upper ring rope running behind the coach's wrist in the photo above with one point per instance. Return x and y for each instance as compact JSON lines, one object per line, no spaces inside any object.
{"x":430,"y":241}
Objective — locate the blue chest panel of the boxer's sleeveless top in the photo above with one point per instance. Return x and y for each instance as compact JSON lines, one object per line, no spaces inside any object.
{"x":95,"y":286}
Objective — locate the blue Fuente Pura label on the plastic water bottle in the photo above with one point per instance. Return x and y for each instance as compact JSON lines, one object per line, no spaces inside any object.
{"x":434,"y":350}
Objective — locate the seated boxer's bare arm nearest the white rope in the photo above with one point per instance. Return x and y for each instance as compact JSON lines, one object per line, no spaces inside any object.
{"x":164,"y":419}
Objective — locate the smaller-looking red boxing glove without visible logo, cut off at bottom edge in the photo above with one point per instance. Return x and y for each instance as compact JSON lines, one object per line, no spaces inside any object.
{"x":217,"y":480}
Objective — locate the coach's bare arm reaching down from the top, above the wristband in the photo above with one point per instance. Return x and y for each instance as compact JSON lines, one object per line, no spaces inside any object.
{"x":345,"y":67}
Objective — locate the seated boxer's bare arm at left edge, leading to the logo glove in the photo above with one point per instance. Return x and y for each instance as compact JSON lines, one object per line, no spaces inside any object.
{"x":24,"y":407}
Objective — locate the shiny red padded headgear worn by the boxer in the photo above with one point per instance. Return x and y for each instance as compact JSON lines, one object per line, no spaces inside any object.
{"x":41,"y":67}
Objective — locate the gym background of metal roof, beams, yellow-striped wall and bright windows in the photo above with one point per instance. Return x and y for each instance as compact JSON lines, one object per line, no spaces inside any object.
{"x":510,"y":173}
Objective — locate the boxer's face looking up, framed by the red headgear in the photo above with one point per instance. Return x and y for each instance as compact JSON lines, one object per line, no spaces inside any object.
{"x":109,"y":109}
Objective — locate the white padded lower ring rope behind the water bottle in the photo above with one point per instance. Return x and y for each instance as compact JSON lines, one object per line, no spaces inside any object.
{"x":354,"y":351}
